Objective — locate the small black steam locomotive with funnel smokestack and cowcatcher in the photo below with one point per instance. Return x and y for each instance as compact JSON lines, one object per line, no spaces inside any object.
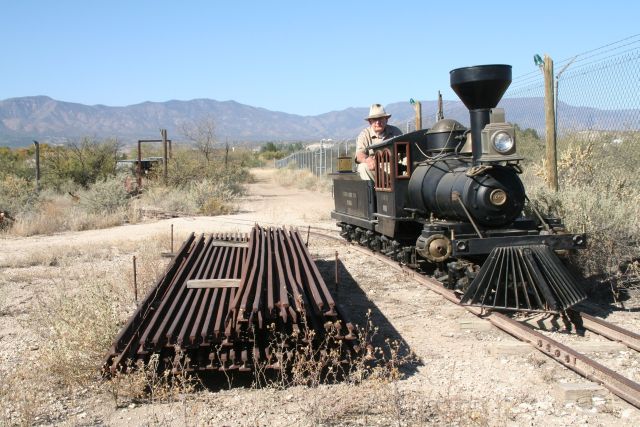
{"x":449,"y":201}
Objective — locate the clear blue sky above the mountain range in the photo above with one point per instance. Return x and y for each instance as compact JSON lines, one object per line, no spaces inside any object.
{"x":294,"y":56}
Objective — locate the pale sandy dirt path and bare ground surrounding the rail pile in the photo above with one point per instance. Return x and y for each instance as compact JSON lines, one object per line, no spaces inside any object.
{"x":463,"y":378}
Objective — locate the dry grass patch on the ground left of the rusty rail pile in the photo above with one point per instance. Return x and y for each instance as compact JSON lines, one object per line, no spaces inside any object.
{"x":73,"y":318}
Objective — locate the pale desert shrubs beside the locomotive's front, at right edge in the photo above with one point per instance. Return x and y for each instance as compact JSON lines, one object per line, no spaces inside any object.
{"x":594,"y":199}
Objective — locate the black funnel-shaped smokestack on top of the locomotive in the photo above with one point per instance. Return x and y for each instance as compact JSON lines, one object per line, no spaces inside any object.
{"x":480,"y":88}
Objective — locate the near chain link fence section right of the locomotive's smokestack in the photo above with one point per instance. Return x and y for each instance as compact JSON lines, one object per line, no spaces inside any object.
{"x":597,"y":95}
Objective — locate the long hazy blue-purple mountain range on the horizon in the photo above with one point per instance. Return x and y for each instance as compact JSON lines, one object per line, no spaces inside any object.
{"x":40,"y":117}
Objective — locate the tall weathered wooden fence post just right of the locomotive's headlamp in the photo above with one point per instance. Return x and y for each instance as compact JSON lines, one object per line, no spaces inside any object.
{"x":550,"y":128}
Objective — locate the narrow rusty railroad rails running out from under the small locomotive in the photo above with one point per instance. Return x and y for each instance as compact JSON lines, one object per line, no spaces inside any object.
{"x":619,"y":385}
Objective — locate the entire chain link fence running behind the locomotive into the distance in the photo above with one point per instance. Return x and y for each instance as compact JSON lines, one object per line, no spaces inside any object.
{"x":597,"y":98}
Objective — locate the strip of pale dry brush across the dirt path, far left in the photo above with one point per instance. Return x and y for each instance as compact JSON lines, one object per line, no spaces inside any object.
{"x":107,"y":204}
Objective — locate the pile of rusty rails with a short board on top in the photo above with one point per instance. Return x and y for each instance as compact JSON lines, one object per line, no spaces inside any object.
{"x":224,"y":300}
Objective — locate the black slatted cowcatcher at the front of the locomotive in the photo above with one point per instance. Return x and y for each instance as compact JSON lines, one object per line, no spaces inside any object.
{"x":523,"y":278}
